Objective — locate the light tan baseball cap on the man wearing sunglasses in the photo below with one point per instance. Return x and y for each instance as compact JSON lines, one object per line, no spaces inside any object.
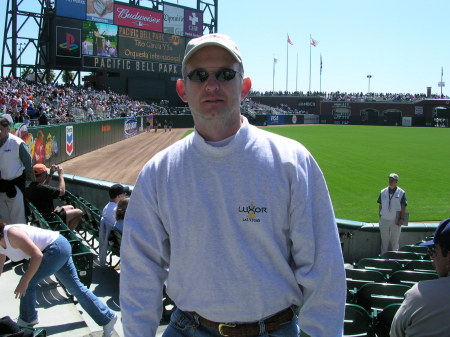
{"x":219,"y":40}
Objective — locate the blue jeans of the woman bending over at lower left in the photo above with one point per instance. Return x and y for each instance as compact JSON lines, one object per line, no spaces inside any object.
{"x":57,"y":260}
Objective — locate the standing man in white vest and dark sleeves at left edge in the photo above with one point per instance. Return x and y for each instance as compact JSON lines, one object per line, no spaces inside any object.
{"x":15,"y":169}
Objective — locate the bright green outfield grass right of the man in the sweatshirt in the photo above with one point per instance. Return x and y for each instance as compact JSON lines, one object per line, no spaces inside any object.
{"x":356,"y":162}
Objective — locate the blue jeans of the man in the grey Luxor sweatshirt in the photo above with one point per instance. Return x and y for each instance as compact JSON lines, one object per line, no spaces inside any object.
{"x":184,"y":324}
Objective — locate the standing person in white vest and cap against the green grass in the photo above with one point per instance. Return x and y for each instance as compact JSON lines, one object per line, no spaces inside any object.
{"x":391,"y":200}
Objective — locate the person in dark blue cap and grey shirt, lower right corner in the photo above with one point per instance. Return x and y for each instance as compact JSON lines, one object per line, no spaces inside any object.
{"x":424,"y":312}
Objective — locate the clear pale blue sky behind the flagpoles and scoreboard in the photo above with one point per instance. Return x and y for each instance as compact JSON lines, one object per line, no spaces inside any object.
{"x":402,"y":44}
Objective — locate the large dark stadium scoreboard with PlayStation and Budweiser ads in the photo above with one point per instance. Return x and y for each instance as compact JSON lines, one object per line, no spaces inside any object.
{"x":122,"y":41}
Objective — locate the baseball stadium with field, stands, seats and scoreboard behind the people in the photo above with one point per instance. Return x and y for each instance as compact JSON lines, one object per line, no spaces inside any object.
{"x":128,"y":55}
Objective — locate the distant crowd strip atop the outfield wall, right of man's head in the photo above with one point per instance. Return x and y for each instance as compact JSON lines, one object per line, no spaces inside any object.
{"x":358,"y":96}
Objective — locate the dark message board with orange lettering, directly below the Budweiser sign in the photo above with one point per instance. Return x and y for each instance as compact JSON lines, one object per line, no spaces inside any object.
{"x":140,"y":44}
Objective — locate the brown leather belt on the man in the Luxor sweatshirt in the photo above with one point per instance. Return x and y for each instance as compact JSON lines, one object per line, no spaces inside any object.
{"x":249,"y":329}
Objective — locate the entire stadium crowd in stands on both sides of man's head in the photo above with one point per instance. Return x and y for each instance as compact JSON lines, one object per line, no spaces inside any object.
{"x":42,"y":104}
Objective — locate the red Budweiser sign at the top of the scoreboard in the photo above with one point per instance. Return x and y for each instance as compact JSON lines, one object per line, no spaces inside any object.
{"x":138,"y":18}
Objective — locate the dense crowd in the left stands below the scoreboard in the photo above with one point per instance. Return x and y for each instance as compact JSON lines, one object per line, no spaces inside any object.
{"x":39,"y":103}
